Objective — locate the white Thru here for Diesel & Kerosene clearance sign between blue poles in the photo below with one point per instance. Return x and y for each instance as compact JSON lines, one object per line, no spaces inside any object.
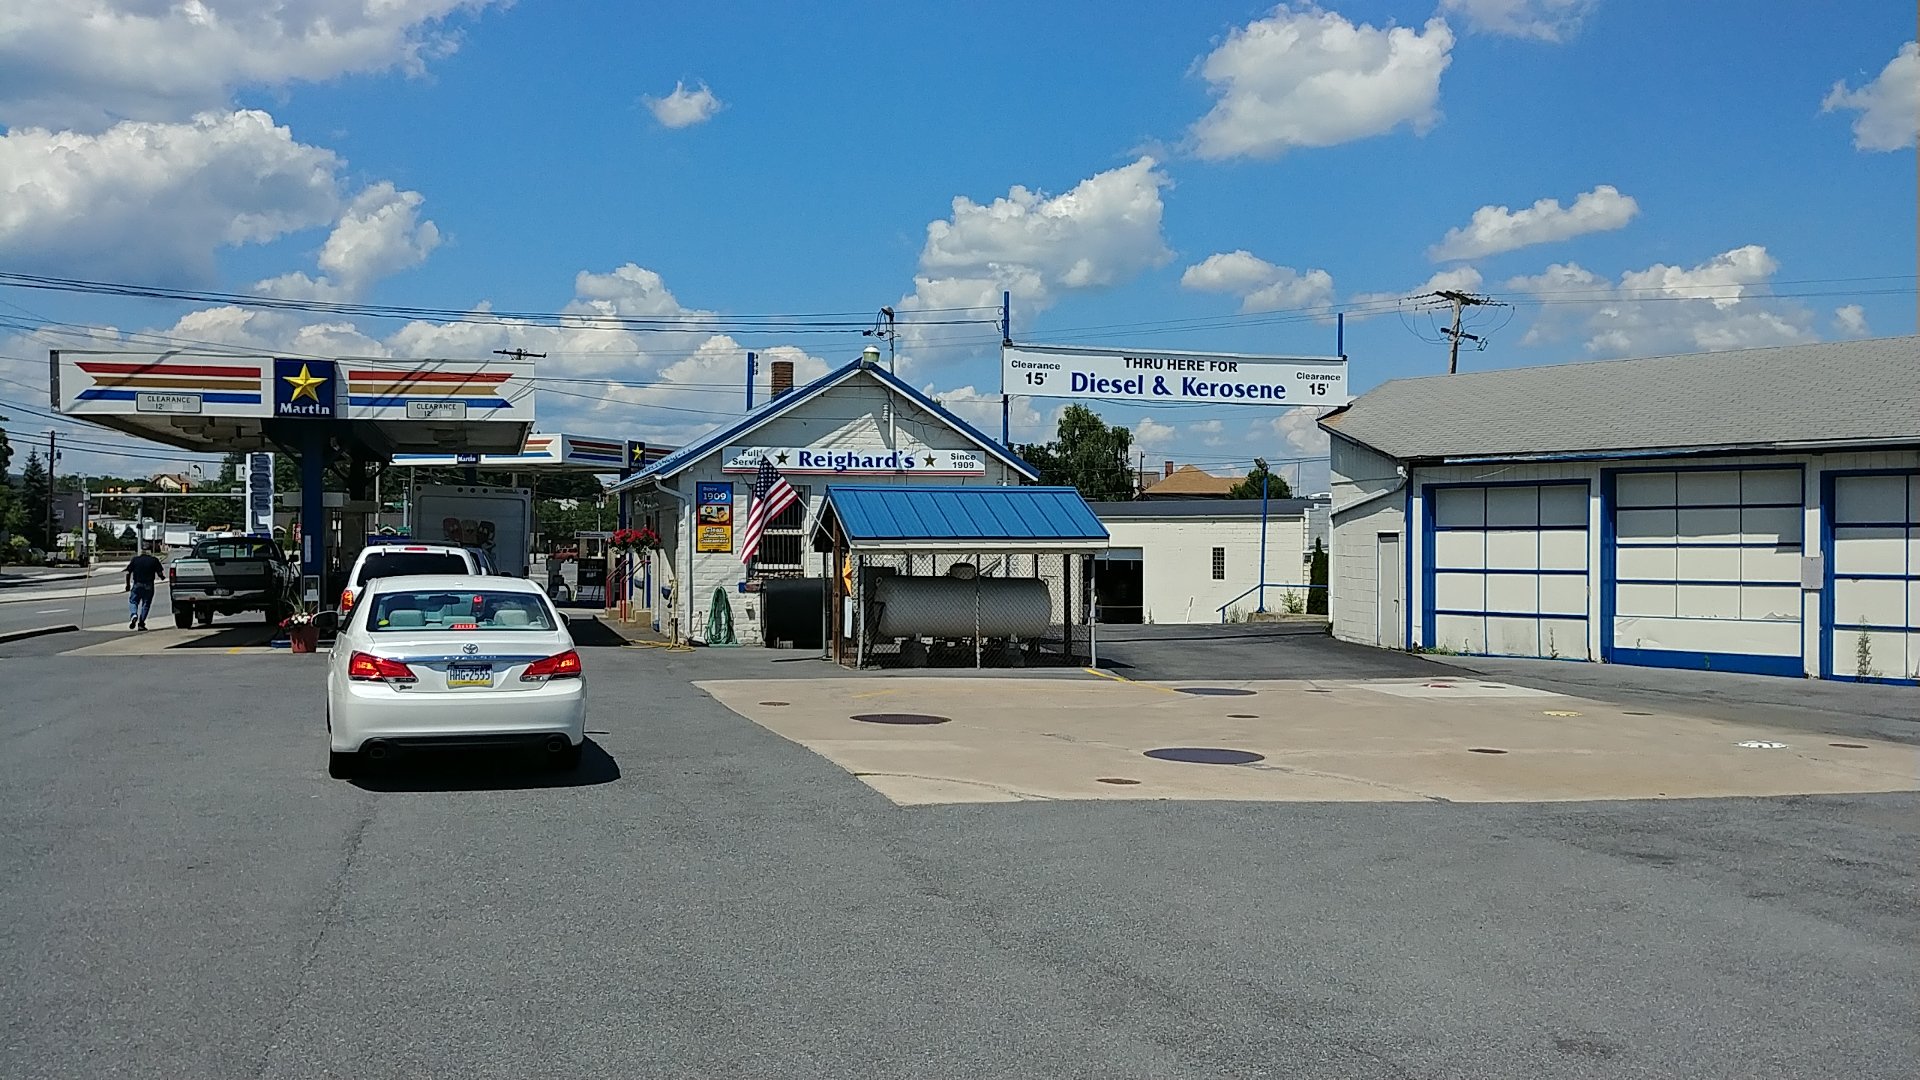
{"x":1141,"y":376}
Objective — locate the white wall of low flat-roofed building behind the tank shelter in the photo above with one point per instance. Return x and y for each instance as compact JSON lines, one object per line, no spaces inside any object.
{"x":1178,"y":562}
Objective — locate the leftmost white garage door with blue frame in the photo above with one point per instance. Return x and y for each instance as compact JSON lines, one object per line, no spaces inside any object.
{"x":1506,"y":570}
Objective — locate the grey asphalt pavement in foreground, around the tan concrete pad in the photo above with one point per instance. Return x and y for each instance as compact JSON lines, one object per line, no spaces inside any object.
{"x":189,"y":896}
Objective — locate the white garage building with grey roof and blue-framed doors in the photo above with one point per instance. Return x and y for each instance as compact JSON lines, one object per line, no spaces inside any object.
{"x":1737,"y":512}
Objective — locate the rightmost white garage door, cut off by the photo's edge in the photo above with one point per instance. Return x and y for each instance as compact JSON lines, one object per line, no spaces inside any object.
{"x":1873,"y":612}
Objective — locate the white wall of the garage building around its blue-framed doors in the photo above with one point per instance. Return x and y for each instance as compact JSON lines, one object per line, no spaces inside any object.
{"x":1360,"y":472}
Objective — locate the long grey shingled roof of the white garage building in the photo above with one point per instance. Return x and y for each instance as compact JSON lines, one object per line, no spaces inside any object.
{"x":1835,"y":393}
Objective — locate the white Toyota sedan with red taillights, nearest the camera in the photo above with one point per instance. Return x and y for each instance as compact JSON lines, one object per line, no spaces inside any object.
{"x":444,"y":660}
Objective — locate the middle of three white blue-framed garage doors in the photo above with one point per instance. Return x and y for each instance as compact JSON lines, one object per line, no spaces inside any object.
{"x":1706,"y":570}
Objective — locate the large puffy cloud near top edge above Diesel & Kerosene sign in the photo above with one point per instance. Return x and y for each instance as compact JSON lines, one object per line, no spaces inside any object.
{"x":1310,"y":78}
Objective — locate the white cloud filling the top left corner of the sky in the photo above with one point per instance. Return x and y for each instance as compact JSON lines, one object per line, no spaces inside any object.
{"x":89,"y":64}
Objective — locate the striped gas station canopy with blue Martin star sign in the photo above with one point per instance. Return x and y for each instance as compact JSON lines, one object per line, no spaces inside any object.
{"x":372,"y":408}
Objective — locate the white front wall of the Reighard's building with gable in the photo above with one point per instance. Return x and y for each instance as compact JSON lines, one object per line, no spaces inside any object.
{"x":852,"y":416}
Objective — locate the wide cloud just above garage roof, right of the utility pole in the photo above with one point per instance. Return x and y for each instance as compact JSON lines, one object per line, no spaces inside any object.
{"x":1719,"y":305}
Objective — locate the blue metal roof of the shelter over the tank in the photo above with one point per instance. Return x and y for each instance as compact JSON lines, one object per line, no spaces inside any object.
{"x":978,"y":520}
